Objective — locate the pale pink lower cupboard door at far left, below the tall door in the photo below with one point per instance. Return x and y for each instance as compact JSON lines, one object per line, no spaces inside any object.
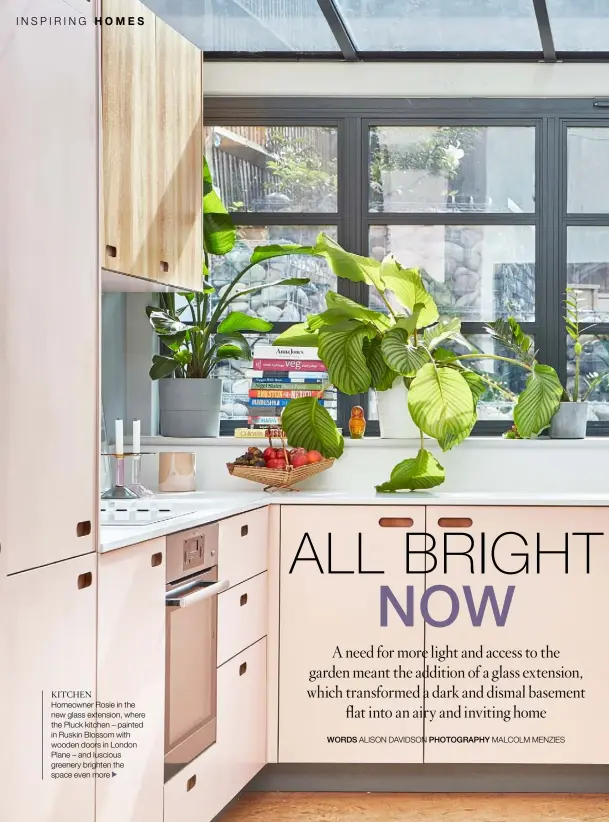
{"x":51,"y":649}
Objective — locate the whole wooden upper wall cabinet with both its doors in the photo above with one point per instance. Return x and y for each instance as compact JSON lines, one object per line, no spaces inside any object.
{"x":151,"y":148}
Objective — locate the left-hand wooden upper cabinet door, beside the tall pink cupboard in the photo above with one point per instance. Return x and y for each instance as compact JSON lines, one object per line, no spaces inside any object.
{"x":129,"y":143}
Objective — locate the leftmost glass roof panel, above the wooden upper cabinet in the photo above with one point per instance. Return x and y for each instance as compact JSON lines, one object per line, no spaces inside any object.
{"x":249,"y":25}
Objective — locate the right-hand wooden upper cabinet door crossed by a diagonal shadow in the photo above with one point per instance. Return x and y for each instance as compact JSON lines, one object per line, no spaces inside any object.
{"x":180,"y":152}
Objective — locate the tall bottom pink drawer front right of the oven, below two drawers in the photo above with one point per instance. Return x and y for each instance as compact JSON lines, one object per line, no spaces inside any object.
{"x":242,"y":718}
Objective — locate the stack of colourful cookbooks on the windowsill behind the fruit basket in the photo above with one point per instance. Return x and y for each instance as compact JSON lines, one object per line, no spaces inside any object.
{"x":282,"y":373}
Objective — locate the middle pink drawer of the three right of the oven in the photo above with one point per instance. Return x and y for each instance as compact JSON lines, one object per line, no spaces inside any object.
{"x":242,"y":616}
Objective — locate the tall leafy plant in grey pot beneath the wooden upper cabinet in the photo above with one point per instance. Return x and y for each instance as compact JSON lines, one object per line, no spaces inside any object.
{"x":189,"y":394}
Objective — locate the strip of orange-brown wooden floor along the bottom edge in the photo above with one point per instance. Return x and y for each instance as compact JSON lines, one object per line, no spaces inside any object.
{"x":379,"y":807}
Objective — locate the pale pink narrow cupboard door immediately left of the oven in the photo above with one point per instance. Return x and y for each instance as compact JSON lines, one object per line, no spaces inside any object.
{"x":131,"y":666}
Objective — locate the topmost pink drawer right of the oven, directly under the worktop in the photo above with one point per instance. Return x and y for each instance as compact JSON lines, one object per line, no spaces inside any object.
{"x":243,"y":546}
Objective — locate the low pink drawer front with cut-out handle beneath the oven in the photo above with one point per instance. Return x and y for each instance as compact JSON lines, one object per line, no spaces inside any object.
{"x":195,"y":794}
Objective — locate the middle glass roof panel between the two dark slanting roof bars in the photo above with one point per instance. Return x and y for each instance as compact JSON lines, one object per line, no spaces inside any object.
{"x":442,"y":25}
